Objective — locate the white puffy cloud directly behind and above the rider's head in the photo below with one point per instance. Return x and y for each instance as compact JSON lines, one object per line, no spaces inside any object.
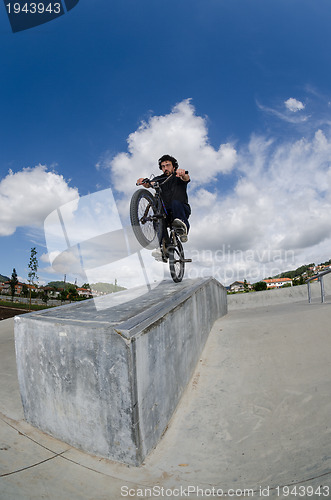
{"x":181,"y":133}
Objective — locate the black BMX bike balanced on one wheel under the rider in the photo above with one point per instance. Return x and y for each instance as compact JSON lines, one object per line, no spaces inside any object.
{"x":152,"y":226}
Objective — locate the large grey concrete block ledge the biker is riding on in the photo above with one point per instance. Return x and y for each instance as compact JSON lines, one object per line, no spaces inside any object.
{"x":107,"y":380}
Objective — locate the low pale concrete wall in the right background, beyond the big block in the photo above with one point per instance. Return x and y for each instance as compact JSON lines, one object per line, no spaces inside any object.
{"x":278,"y":296}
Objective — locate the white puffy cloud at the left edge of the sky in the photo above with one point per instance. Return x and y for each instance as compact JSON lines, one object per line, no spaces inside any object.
{"x":28,"y":196}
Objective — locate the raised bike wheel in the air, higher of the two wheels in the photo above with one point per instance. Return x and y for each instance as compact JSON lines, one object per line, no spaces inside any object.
{"x":146,"y":226}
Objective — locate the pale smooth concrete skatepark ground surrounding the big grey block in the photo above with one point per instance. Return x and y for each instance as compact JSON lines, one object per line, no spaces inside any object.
{"x":254,"y":420}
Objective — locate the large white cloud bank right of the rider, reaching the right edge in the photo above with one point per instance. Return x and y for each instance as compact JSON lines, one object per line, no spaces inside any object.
{"x":278,"y":215}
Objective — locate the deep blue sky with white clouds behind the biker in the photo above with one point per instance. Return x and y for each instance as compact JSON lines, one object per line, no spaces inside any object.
{"x":239,"y":91}
